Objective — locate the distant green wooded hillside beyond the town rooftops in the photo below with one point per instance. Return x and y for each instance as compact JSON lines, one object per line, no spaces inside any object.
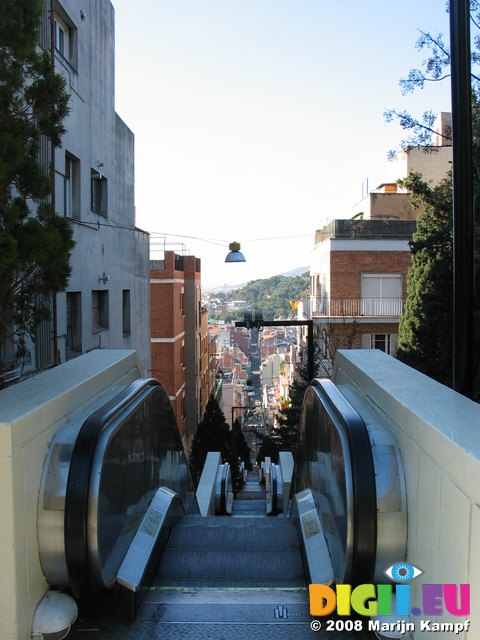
{"x":272,"y":296}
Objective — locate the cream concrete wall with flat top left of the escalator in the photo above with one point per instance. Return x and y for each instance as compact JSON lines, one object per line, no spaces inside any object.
{"x":31,"y":412}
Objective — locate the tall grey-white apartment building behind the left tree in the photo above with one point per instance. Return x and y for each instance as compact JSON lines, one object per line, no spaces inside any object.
{"x":107,"y":302}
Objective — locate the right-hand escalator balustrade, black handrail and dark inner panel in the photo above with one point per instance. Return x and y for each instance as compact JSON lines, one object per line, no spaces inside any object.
{"x":335,"y":461}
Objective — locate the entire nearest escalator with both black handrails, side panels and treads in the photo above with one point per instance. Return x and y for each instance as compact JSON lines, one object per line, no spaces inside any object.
{"x":119,"y":526}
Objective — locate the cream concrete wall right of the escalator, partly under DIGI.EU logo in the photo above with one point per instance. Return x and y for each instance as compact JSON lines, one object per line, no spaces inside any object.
{"x":438,"y":432}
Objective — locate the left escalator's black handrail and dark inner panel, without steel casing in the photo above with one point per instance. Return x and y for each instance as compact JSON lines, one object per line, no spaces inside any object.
{"x":121,"y":457}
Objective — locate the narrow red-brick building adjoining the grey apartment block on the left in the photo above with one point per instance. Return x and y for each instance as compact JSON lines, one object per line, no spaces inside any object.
{"x":182,"y":358}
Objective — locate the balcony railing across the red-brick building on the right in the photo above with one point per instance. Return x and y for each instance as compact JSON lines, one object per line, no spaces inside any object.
{"x":387,"y":307}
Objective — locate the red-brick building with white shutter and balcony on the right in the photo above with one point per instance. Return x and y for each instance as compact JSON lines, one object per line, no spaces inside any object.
{"x":358,"y":286}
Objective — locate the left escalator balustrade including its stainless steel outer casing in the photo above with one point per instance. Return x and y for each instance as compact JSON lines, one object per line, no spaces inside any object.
{"x":98,"y":482}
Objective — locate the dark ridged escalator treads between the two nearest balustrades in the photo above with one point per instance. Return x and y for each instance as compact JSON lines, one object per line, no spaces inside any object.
{"x":238,"y":552}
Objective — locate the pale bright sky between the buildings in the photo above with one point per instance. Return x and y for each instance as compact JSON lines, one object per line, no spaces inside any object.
{"x":259,"y":121}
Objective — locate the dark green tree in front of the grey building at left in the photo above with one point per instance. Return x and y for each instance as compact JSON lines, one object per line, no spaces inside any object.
{"x":34,"y":249}
